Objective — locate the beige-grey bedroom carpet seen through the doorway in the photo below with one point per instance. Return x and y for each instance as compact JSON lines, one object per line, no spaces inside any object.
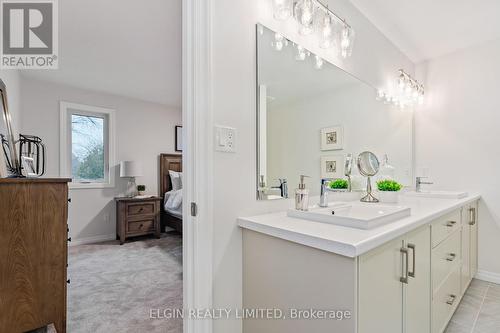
{"x":113,"y":287}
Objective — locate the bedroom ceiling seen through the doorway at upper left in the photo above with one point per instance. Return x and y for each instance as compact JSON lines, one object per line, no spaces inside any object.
{"x":128,"y":47}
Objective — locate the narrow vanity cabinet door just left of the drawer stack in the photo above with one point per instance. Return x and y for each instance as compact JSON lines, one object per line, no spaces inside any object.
{"x":418,"y":289}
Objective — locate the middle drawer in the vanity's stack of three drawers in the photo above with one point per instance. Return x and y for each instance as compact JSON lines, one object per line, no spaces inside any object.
{"x":445,"y":257}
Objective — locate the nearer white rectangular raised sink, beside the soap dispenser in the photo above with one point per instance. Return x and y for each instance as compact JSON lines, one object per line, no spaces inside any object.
{"x":356,"y":215}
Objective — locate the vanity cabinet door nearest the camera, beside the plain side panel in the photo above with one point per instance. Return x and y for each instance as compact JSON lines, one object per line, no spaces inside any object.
{"x":380,"y":293}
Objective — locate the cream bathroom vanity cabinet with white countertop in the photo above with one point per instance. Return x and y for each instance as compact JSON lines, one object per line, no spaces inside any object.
{"x":405,"y":276}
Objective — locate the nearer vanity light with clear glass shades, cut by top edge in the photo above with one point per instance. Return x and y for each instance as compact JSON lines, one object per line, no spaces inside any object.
{"x":313,"y":15}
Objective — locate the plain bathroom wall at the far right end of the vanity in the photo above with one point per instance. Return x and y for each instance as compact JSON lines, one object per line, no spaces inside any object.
{"x":457,"y":134}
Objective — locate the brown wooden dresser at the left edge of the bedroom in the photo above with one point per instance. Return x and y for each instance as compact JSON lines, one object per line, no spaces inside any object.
{"x":33,"y":254}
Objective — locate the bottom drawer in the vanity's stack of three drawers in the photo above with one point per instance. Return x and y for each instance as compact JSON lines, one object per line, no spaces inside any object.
{"x":445,"y":301}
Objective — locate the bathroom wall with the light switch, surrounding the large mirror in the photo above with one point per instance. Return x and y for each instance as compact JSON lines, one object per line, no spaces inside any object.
{"x":375,"y":60}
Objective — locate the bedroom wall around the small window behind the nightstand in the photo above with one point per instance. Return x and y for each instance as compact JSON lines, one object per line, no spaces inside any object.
{"x":143,"y":131}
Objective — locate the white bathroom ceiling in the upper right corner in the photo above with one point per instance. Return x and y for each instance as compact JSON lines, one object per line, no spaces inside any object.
{"x":427,"y":29}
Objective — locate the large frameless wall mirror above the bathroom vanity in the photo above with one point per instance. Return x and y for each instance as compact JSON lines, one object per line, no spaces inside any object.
{"x":311,"y":115}
